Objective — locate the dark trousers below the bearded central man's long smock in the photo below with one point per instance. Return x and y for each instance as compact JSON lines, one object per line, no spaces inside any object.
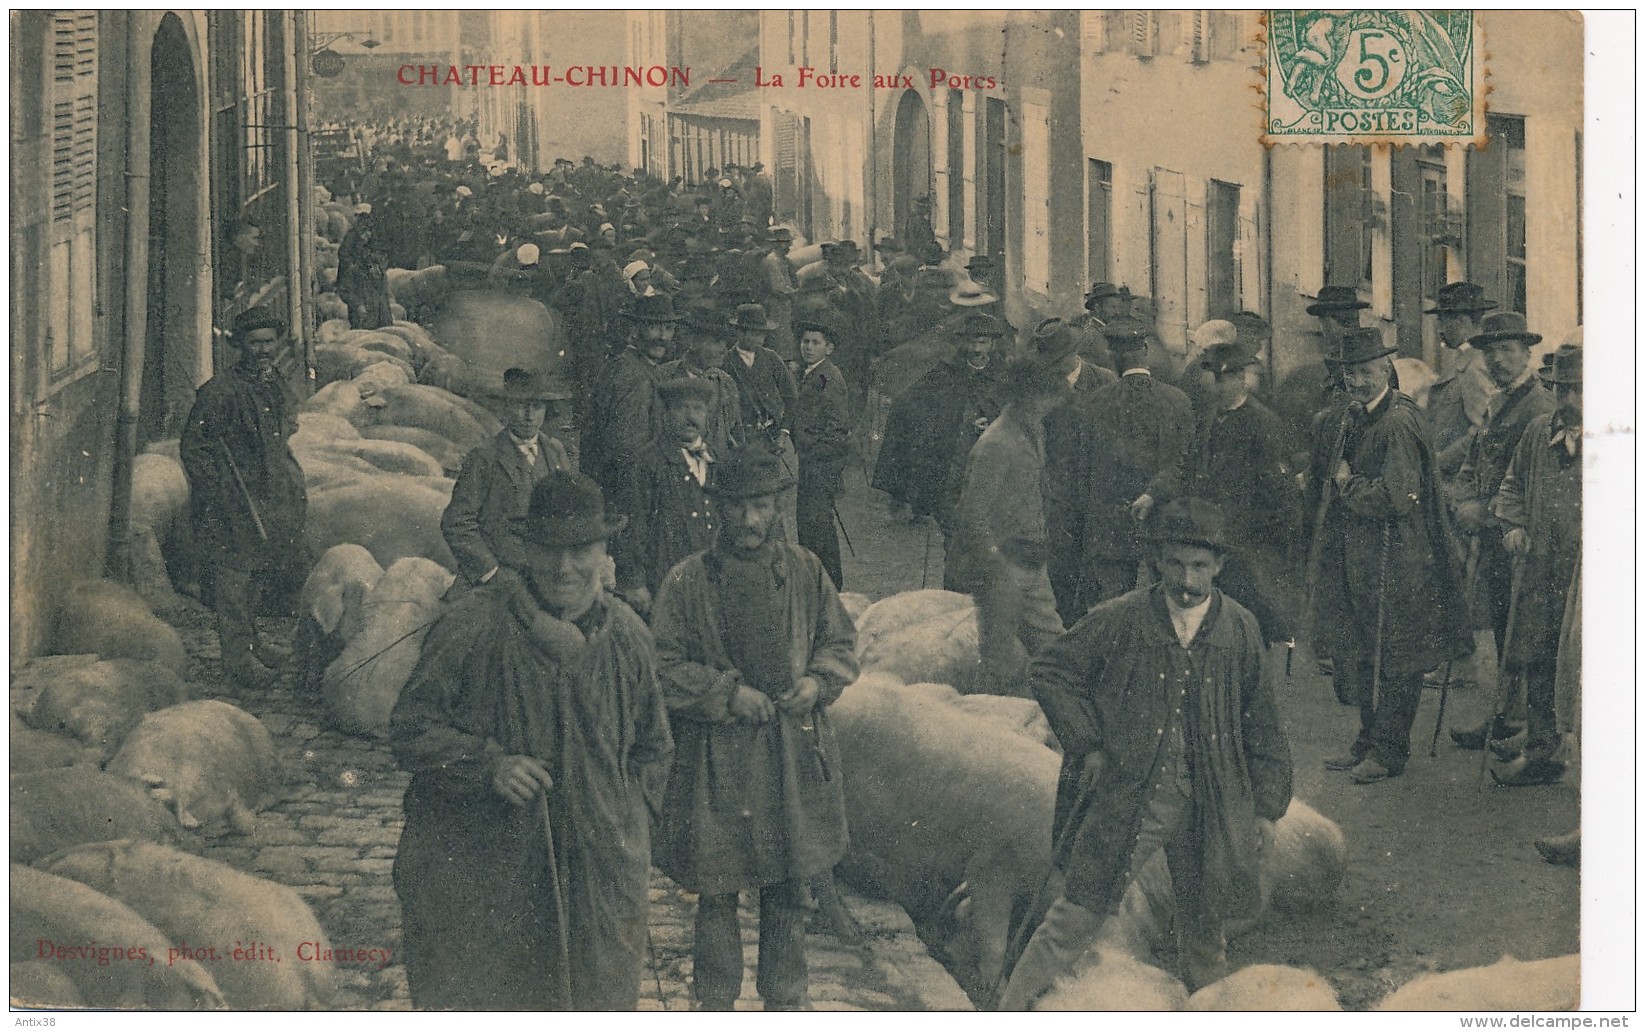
{"x":782,"y":979}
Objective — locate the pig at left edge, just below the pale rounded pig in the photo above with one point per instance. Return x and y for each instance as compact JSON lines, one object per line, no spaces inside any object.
{"x":55,"y":810}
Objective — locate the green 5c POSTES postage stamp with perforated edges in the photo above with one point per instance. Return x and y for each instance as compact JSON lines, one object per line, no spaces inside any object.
{"x":1374,"y":76}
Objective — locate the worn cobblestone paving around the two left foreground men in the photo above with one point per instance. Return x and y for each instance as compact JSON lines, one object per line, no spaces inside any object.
{"x":335,"y":839}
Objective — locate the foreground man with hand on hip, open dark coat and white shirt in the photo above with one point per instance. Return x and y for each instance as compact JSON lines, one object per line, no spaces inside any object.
{"x":1170,"y":742}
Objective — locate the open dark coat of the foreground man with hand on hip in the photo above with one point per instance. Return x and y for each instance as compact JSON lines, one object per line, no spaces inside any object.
{"x":1106,"y":687}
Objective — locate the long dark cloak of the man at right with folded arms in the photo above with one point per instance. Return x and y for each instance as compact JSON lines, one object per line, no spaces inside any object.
{"x":1389,"y":537}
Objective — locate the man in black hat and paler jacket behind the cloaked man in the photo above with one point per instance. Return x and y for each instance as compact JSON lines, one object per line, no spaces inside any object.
{"x":1458,"y":399}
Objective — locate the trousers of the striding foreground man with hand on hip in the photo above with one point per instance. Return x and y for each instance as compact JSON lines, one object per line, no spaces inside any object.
{"x":1070,"y":930}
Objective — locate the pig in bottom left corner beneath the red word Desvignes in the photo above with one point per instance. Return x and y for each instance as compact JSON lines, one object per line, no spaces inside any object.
{"x":72,"y":915}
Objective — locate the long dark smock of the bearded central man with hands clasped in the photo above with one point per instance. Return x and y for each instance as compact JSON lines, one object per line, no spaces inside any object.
{"x":751,"y":805}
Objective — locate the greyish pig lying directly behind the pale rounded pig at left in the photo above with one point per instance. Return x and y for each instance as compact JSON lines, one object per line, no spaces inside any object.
{"x":101,"y":703}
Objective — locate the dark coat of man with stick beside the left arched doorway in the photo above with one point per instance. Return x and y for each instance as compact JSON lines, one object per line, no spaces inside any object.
{"x":241,"y":423}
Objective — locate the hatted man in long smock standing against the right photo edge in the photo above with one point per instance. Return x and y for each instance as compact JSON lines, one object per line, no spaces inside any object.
{"x":1541,"y":507}
